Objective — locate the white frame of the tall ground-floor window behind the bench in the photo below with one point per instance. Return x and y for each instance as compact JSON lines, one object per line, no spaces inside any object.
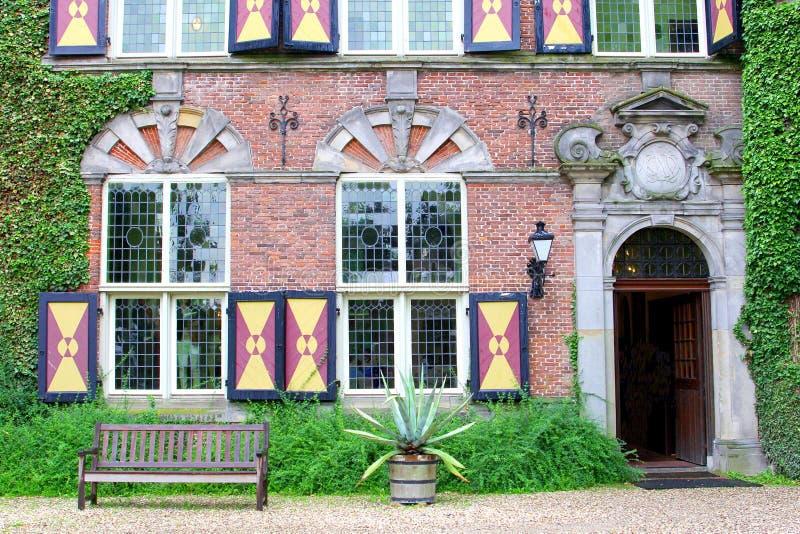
{"x":166,"y":292}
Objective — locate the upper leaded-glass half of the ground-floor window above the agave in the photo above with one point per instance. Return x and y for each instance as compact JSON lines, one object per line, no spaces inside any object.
{"x":401,"y":232}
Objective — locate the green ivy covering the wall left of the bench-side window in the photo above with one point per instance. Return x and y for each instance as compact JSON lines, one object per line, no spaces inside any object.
{"x":46,"y":121}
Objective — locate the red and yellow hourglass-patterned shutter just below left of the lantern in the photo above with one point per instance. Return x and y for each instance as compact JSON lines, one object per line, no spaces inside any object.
{"x":498,"y":344}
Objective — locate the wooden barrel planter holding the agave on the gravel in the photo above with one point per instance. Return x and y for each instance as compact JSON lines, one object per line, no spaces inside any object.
{"x":412,"y":478}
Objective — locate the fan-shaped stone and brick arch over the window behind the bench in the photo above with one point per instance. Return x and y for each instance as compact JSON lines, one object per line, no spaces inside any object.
{"x":166,"y":138}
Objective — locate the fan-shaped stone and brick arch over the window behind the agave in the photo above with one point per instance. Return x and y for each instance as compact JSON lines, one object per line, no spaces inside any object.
{"x":402,"y":137}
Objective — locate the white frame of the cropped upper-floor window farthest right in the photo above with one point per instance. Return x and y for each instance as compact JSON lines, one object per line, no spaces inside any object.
{"x":647,"y":33}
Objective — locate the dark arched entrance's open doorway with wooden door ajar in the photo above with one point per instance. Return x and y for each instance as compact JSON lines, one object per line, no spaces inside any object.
{"x":661,"y":368}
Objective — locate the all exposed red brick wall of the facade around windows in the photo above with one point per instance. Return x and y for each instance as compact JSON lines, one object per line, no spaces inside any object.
{"x":283,"y":234}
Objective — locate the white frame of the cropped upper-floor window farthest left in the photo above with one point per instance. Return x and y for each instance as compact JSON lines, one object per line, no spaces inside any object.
{"x":172,"y":34}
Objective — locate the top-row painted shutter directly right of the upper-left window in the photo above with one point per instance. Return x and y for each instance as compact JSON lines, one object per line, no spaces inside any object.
{"x":253,"y":25}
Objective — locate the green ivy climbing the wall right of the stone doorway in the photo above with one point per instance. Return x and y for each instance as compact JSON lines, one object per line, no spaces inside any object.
{"x":771,"y":169}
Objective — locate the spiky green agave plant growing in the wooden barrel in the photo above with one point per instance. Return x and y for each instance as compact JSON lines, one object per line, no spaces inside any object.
{"x":416,"y":422}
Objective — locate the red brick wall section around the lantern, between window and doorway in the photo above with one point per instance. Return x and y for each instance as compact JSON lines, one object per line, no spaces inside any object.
{"x":501,"y":217}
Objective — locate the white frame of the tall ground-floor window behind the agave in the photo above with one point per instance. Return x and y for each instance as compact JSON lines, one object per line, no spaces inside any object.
{"x":402,"y":292}
